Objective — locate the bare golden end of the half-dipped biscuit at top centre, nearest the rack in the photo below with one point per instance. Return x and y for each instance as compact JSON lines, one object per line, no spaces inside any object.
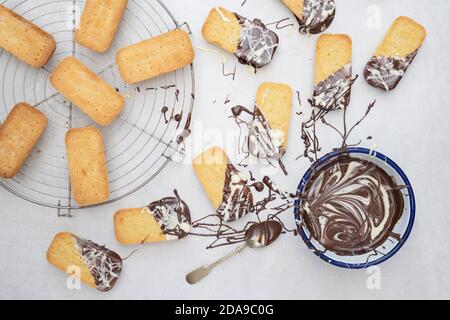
{"x":222,"y":29}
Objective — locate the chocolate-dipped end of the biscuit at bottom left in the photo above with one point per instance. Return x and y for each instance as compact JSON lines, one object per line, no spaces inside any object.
{"x":105,"y":265}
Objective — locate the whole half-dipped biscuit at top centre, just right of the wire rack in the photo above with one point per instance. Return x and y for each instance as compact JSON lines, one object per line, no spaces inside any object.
{"x":250,"y":41}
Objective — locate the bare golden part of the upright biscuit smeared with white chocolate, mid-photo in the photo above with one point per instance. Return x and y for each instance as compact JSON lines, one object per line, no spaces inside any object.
{"x":275,"y":102}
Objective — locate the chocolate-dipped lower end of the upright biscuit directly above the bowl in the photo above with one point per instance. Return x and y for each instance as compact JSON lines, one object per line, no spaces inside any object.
{"x":334,"y":92}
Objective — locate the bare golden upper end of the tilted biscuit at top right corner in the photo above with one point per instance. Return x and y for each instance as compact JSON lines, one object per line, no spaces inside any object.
{"x":404,"y":37}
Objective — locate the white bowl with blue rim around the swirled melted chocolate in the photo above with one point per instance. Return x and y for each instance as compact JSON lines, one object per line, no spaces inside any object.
{"x":402,"y":228}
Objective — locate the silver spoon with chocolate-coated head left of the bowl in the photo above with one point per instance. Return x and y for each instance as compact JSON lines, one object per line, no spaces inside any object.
{"x":258,"y":235}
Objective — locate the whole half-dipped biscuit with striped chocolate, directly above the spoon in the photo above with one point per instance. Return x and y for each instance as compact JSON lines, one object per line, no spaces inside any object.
{"x":225,"y":186}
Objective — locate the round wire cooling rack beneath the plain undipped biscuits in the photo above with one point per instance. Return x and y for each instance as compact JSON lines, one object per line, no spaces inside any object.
{"x":139,"y":144}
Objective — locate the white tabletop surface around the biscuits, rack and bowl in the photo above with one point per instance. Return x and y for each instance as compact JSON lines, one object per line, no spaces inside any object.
{"x":411,"y":125}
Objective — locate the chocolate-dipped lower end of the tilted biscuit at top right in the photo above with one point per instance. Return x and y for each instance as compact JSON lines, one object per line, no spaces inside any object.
{"x":386,"y":72}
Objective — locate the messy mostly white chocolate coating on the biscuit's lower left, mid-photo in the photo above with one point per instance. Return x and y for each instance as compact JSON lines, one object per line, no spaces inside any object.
{"x":261,"y":141}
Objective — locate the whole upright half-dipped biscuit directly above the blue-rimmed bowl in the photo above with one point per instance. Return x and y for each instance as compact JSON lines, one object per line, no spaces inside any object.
{"x":333,"y":71}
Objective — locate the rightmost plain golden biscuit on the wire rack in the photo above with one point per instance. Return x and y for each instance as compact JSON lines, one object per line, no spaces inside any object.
{"x":153,"y":57}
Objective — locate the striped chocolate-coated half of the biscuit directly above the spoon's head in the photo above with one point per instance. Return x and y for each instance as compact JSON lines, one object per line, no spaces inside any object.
{"x":237,"y":197}
